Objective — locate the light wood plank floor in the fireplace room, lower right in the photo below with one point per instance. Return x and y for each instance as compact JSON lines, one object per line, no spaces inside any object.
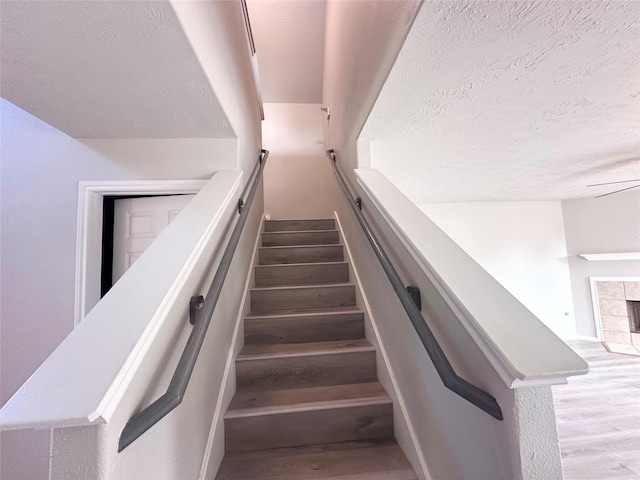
{"x":598,"y":416}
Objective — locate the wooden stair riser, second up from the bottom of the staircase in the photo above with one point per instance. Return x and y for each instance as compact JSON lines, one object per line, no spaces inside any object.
{"x":306,"y":371}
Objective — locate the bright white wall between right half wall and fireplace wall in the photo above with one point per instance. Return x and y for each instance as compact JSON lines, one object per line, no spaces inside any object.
{"x":522,"y":245}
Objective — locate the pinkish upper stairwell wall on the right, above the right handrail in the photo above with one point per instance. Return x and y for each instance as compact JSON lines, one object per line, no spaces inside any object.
{"x":361,"y":43}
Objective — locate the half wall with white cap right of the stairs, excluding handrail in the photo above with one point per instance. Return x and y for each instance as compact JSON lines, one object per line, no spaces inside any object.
{"x":489,"y":338}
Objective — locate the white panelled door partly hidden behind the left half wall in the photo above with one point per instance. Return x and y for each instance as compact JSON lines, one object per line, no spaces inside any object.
{"x":137,"y":222}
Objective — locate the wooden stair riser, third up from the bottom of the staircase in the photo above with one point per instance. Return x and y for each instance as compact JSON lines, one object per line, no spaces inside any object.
{"x":304,"y":329}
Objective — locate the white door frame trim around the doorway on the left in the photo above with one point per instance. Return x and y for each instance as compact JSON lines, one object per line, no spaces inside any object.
{"x":89,"y":229}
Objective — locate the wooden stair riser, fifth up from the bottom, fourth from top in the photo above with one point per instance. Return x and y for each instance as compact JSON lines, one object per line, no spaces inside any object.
{"x":301,"y":274}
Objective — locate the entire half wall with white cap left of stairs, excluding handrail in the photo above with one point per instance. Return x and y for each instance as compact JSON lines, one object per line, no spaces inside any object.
{"x":123,"y":354}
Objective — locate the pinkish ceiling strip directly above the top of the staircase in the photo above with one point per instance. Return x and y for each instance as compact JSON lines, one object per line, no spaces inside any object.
{"x":289,"y":39}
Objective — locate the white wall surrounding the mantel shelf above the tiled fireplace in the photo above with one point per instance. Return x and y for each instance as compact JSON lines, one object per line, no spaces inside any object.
{"x":609,"y":224}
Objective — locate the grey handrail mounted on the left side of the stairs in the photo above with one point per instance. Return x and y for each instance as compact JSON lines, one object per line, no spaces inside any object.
{"x":152,"y":414}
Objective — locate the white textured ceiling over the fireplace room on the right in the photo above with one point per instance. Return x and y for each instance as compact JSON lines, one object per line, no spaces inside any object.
{"x":509,"y":100}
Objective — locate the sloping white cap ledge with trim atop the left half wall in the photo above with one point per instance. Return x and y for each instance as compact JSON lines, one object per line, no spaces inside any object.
{"x":83,"y":380}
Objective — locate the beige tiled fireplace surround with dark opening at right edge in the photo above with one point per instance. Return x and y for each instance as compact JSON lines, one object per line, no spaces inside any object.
{"x":617,"y":303}
